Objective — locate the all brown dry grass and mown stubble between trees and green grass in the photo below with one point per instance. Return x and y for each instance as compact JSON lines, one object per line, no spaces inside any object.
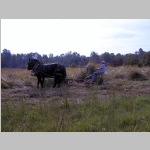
{"x":18,"y":83}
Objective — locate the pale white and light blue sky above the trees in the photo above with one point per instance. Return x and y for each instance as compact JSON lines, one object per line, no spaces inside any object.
{"x":60,"y":36}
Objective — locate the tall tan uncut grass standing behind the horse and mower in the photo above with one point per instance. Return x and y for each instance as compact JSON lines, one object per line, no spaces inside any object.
{"x":21,"y":77}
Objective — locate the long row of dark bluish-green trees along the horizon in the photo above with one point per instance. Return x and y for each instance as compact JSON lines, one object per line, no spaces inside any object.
{"x":73,"y":59}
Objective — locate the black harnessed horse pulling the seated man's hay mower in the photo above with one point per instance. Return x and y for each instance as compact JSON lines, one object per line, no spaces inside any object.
{"x":42,"y":71}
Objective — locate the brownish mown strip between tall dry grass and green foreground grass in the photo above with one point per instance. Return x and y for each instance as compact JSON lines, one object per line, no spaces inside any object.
{"x":76,"y":93}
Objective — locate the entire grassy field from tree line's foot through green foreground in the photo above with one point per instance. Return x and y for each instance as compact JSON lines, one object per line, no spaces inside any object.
{"x":120,"y":104}
